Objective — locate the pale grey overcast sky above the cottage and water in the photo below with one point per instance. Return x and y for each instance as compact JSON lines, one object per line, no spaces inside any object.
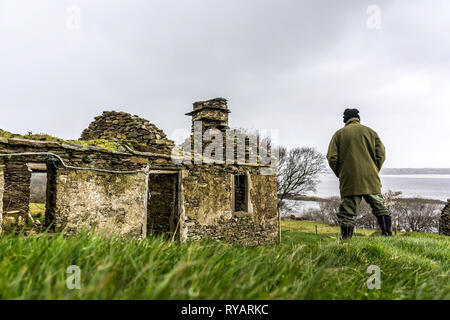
{"x":288,"y":65}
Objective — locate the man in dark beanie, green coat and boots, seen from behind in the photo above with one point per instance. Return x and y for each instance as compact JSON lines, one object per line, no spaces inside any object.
{"x":356,"y":155}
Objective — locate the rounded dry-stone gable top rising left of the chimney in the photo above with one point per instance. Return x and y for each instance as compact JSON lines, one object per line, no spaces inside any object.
{"x":112,"y":125}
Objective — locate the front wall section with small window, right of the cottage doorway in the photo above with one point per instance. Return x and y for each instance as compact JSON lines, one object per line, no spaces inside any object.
{"x":209,"y":205}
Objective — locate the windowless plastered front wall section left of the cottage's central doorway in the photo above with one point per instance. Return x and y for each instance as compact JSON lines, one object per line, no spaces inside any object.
{"x":112,"y":203}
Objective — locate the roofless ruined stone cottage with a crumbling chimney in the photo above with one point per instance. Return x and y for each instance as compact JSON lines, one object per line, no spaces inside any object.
{"x":141,"y":186}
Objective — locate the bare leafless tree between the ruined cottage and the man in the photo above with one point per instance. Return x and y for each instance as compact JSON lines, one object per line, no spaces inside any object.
{"x":298,"y":171}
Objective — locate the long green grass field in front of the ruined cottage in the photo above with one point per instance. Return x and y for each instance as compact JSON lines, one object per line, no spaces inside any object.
{"x":308,"y":265}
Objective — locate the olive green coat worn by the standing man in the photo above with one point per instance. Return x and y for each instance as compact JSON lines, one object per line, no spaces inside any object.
{"x":356,"y":155}
